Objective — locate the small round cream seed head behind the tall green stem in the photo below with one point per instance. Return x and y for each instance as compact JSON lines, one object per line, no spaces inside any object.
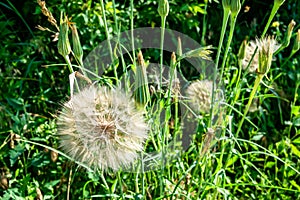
{"x":199,"y":94}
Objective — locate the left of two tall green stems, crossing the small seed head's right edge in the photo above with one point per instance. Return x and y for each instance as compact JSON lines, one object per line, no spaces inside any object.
{"x":223,"y":30}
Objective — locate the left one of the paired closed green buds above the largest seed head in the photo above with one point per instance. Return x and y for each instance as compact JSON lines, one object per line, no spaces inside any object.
{"x":63,"y":45}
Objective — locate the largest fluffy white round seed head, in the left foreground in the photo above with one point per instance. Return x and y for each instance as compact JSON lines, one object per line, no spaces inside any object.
{"x":102,"y":128}
